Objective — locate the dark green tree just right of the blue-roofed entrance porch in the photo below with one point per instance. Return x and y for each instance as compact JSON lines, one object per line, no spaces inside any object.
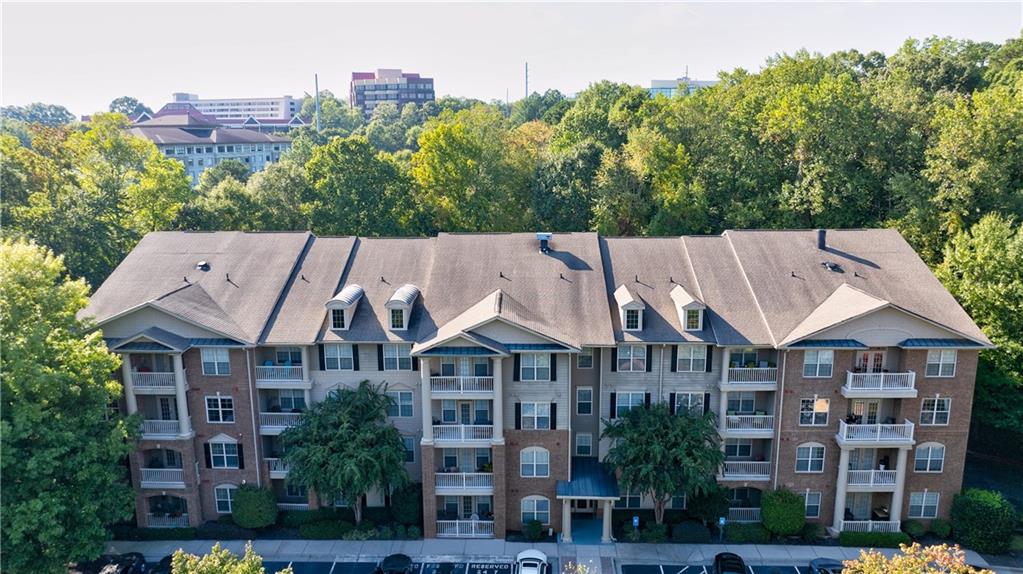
{"x":664,"y":455}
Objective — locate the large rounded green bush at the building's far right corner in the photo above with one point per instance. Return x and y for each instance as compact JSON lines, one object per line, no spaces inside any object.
{"x":984,"y":520}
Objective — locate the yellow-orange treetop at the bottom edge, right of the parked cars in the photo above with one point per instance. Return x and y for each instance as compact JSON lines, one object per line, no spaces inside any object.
{"x":913,"y":560}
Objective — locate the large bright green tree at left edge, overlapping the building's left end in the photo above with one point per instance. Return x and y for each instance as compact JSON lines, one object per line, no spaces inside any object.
{"x":62,"y":449}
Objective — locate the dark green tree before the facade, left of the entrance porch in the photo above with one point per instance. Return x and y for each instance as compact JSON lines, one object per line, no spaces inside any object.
{"x":343,"y":448}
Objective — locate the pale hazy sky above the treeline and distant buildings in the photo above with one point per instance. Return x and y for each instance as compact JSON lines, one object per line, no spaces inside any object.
{"x":82,"y":56}
